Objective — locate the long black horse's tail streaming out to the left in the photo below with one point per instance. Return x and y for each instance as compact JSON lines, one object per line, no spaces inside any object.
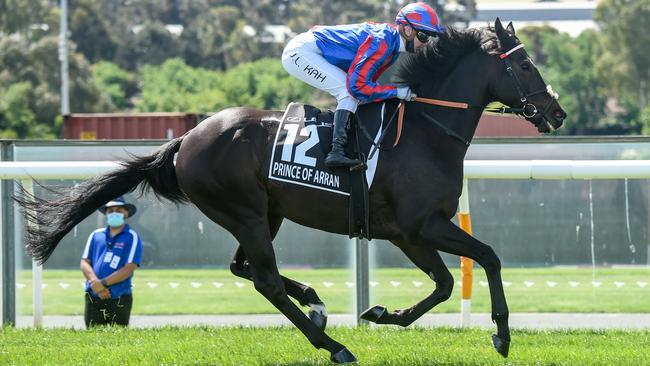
{"x":48,"y":221}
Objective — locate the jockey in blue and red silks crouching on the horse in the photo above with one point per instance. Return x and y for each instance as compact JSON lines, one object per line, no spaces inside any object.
{"x":347,"y":60}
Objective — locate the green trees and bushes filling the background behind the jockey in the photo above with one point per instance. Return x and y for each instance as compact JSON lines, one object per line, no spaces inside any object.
{"x":225,"y":52}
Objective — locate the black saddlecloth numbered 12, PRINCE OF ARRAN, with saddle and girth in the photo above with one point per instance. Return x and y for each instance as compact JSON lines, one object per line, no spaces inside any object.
{"x":303,"y":140}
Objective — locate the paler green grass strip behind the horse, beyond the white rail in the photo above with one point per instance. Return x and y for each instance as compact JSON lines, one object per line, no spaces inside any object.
{"x":231,"y":299}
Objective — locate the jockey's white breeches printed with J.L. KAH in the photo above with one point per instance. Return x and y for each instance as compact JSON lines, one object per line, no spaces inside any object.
{"x":302,"y":59}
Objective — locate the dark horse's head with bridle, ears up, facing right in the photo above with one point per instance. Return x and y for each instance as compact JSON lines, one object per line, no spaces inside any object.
{"x":520,"y":85}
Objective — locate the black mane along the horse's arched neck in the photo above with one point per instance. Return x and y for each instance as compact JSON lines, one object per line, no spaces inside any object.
{"x":437,"y":59}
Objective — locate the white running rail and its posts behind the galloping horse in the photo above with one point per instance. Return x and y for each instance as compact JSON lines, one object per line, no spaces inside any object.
{"x":487,"y":169}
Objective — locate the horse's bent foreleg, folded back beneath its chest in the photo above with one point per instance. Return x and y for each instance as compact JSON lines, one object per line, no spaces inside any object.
{"x":430,"y":262}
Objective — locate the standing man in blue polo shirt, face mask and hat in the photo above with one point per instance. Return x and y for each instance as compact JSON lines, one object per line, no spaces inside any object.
{"x":109,"y":259}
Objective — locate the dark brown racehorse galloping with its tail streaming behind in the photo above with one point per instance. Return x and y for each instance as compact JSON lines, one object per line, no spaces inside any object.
{"x":222,"y":163}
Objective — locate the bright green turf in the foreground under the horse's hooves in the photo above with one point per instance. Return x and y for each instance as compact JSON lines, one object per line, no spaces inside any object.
{"x":287,"y":346}
